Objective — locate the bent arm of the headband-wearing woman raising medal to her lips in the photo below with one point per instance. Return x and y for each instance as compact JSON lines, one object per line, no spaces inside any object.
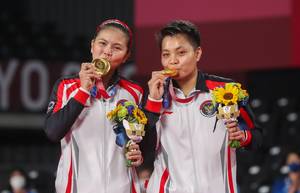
{"x":60,"y":119}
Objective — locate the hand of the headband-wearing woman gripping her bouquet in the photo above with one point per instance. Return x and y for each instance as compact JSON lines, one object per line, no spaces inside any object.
{"x":134,"y":155}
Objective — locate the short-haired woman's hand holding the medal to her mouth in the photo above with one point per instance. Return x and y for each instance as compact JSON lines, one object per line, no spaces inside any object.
{"x":156,"y":85}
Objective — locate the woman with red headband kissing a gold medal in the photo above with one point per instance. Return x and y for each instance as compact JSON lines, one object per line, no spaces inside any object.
{"x":91,"y":159}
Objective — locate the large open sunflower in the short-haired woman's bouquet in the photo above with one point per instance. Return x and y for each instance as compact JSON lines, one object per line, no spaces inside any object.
{"x":227,"y":95}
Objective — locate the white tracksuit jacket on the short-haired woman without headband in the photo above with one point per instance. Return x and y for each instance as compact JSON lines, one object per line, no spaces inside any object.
{"x":192,"y":153}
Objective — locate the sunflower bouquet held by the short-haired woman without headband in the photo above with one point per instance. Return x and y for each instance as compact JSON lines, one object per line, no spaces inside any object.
{"x":227,"y":100}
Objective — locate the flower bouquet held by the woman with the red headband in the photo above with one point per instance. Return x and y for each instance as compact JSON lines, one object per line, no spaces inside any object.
{"x":130,"y":122}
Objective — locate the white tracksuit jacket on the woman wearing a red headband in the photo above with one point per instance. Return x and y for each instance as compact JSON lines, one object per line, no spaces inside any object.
{"x":91,"y":161}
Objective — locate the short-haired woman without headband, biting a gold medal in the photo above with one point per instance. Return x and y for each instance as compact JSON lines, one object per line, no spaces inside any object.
{"x":193,"y":154}
